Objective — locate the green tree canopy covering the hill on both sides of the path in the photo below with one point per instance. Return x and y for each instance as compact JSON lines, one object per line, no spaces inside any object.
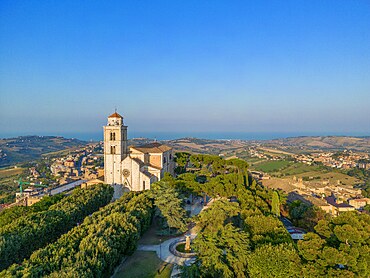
{"x":239,"y":234}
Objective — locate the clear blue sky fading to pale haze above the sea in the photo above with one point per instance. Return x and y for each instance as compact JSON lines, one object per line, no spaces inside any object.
{"x":185,"y":66}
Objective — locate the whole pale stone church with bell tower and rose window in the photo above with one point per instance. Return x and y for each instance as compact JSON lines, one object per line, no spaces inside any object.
{"x":132,"y":168}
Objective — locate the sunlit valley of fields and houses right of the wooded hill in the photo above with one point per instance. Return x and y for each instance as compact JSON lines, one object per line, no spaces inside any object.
{"x":334,"y":175}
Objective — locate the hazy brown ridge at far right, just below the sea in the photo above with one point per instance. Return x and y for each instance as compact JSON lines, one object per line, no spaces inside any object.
{"x":325,"y":142}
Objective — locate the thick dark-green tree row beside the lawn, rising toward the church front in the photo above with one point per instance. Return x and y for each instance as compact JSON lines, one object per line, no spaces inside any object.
{"x":94,"y":248}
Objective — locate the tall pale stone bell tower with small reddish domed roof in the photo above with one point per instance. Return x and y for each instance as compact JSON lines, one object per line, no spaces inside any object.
{"x":115,"y":148}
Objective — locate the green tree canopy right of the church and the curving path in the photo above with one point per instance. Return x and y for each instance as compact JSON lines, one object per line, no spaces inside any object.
{"x":247,"y":239}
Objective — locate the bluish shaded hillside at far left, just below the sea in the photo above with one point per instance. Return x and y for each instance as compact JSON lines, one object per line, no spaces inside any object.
{"x":25,"y":148}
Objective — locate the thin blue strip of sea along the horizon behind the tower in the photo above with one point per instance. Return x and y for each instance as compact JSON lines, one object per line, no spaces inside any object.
{"x":163,"y":136}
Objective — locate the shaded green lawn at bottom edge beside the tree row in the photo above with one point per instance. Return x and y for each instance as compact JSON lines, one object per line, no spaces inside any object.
{"x":142,"y":264}
